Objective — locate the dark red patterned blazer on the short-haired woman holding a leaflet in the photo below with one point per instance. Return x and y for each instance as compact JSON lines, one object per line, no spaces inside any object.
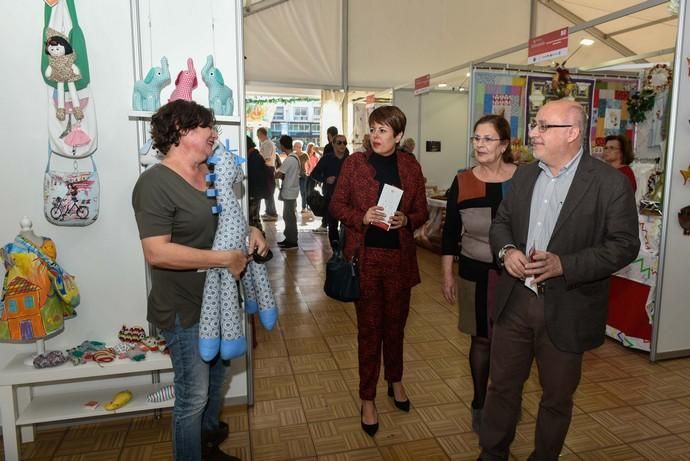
{"x":357,"y":191}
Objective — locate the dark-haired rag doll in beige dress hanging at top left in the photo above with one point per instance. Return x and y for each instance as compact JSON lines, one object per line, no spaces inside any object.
{"x":63,"y":70}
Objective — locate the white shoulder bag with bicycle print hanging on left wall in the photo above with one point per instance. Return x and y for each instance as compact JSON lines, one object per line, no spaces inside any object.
{"x":71,"y":198}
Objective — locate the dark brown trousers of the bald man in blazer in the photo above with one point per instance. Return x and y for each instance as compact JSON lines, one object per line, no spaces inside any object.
{"x":519,"y":336}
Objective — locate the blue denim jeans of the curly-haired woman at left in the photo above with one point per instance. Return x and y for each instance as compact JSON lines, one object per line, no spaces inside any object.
{"x":199,"y":392}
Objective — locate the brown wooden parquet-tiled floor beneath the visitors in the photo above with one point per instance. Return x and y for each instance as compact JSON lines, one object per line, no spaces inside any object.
{"x":307,"y":406}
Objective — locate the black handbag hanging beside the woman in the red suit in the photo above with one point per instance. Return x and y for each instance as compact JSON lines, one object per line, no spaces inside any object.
{"x":342,"y":276}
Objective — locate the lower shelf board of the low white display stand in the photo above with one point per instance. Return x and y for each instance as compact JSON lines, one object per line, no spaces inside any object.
{"x":71,"y":405}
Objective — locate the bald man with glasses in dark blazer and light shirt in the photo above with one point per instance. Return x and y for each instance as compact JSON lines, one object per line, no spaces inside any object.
{"x":569,"y":222}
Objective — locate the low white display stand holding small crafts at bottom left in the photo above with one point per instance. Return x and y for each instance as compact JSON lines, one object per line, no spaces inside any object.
{"x":19,"y":408}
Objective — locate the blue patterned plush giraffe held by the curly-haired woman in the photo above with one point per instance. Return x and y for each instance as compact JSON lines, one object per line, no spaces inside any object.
{"x":220,"y":326}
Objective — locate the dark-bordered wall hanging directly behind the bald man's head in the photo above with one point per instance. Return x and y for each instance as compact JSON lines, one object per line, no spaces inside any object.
{"x":542,"y":87}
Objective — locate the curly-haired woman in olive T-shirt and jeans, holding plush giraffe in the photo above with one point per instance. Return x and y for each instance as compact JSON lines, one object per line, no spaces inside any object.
{"x":177,"y":228}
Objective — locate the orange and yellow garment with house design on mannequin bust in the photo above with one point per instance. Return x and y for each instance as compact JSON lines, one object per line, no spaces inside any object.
{"x":37,"y":294}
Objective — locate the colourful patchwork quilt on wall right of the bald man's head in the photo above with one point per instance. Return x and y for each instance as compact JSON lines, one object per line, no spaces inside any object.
{"x":610,"y":114}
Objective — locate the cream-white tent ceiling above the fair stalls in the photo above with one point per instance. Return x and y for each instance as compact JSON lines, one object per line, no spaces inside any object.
{"x":390,"y":42}
